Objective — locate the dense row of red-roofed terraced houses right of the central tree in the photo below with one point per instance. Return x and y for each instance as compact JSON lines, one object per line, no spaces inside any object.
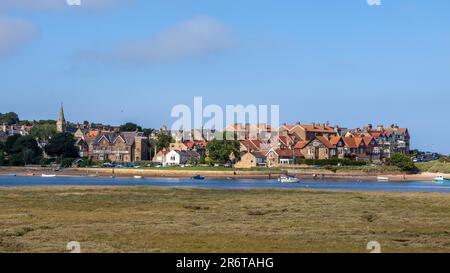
{"x":322,"y":141}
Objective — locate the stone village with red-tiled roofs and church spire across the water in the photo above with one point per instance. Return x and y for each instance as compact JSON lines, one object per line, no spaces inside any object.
{"x":252,"y":146}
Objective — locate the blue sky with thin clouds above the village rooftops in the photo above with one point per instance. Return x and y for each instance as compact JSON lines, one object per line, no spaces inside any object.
{"x":344,"y":62}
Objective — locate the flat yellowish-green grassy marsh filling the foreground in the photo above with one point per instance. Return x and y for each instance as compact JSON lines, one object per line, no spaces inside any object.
{"x":138,"y":219}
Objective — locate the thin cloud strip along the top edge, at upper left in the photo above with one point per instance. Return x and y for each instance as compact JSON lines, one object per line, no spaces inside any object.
{"x":57,"y":4}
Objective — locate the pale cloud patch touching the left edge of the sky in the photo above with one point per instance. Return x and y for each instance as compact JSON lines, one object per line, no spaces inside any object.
{"x":14,"y":33}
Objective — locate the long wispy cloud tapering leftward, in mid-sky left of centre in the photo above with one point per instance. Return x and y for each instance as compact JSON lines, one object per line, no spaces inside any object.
{"x":197,"y":36}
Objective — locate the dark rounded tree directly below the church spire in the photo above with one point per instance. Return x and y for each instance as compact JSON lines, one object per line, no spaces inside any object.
{"x":62,"y":145}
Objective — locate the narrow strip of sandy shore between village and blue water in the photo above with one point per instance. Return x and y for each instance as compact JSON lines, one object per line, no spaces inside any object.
{"x":216,"y":174}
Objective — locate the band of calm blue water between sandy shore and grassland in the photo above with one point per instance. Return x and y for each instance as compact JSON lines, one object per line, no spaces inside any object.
{"x":7,"y":181}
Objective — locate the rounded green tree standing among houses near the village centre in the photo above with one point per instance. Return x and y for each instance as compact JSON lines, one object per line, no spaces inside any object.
{"x":220,"y":150}
